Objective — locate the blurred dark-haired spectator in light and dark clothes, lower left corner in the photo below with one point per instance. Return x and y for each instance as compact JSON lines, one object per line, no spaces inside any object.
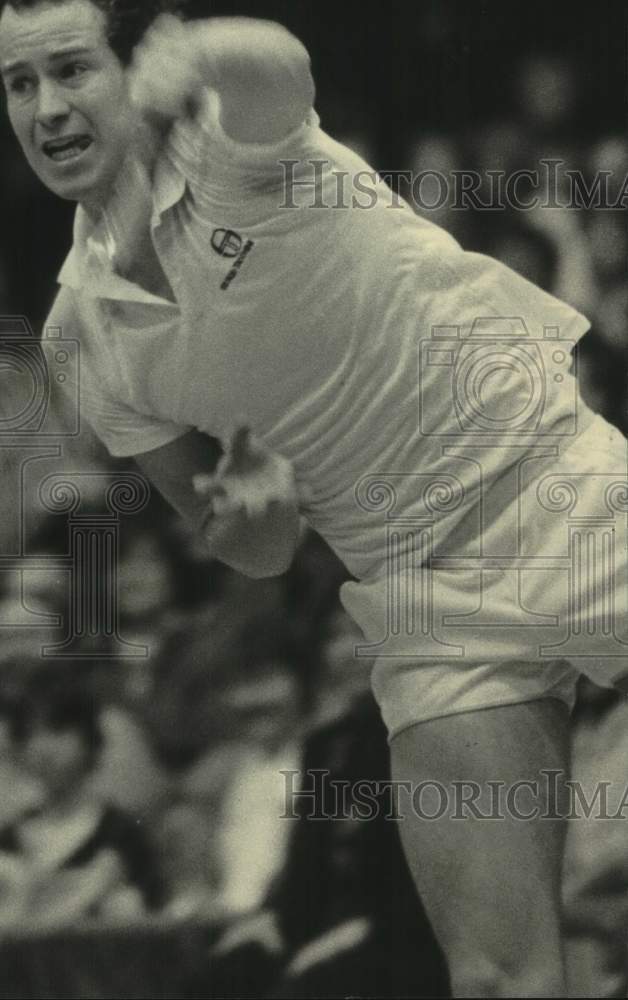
{"x":79,"y":856}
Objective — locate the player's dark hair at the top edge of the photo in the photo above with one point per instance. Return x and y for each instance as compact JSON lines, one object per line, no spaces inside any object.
{"x":127,"y":20}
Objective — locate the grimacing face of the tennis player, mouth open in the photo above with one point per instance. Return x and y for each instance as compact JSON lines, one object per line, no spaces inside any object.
{"x":67,"y":97}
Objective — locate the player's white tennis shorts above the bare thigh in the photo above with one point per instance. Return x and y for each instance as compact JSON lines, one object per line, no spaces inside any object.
{"x":518,"y":614}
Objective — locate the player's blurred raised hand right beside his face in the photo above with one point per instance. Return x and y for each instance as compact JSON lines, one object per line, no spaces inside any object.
{"x":166,"y":81}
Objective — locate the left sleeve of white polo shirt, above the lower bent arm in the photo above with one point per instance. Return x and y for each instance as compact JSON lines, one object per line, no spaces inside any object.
{"x":123,"y":430}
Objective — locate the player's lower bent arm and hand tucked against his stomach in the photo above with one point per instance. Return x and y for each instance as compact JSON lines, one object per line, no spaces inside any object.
{"x":244,"y":504}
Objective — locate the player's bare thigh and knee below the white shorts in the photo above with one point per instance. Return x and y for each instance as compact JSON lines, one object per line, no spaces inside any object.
{"x":491,"y":887}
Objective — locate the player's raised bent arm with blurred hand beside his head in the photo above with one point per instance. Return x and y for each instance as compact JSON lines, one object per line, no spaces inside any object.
{"x":260,"y":72}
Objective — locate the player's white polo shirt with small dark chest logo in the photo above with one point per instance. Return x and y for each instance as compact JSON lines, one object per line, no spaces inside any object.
{"x":356,"y":338}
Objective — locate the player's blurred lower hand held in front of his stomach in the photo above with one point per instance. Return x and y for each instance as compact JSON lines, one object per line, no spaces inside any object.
{"x":248,"y":478}
